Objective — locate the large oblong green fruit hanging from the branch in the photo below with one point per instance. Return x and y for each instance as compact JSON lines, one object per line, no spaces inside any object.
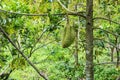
{"x":68,"y":36}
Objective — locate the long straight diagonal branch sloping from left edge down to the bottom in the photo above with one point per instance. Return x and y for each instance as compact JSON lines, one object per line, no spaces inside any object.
{"x":7,"y":37}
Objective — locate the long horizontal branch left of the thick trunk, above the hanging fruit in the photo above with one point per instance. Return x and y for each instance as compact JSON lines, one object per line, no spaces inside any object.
{"x":27,"y":14}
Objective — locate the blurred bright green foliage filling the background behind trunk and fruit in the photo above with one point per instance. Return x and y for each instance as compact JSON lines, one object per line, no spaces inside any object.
{"x":39,"y":38}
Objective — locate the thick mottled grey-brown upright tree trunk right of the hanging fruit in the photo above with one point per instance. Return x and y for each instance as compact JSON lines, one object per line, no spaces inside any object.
{"x":89,"y":40}
